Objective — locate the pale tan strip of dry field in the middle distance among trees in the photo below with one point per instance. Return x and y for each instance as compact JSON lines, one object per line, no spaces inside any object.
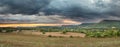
{"x":55,"y":34}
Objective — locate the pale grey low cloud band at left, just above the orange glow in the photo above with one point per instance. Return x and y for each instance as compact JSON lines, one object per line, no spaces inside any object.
{"x":20,"y":18}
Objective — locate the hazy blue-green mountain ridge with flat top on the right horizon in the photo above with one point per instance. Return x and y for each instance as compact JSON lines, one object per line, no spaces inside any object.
{"x":103,"y":24}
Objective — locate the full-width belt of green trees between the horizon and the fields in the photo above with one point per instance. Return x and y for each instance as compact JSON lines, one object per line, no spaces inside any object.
{"x":90,"y":32}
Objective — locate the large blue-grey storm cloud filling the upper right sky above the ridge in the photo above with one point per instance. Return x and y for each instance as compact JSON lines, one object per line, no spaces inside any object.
{"x":85,"y":10}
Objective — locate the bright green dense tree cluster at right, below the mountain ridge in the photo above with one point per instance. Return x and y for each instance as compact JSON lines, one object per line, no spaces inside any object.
{"x":102,"y":32}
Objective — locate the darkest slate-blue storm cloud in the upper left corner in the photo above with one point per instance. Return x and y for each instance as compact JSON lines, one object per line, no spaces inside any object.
{"x":23,"y":6}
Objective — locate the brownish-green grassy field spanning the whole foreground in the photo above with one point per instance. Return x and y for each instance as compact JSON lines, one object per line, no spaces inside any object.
{"x":19,"y":40}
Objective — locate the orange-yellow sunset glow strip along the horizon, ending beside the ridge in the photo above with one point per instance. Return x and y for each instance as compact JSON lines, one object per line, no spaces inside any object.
{"x":64,"y":22}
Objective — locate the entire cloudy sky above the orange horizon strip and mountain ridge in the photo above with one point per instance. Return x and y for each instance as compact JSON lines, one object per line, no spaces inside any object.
{"x":58,"y":11}
